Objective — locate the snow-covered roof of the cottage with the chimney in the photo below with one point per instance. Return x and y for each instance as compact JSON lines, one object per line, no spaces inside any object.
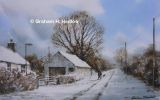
{"x":7,"y":55}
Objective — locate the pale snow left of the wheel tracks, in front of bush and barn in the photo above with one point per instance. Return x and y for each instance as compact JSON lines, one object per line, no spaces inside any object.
{"x":54,"y":92}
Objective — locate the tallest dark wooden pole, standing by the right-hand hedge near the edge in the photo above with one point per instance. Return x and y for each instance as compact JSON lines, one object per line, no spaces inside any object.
{"x":154,"y":54}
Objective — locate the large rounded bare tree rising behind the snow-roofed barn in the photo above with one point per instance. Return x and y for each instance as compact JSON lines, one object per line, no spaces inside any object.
{"x":83,"y":39}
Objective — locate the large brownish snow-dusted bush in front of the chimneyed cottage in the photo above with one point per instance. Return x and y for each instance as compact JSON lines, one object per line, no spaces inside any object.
{"x":15,"y":81}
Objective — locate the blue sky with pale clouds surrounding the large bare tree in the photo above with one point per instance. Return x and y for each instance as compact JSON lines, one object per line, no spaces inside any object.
{"x":123,"y":20}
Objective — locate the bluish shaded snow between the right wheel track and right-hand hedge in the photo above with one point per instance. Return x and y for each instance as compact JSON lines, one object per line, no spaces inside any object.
{"x":123,"y":87}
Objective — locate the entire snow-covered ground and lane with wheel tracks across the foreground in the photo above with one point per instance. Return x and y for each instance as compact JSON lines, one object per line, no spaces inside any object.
{"x":115,"y":85}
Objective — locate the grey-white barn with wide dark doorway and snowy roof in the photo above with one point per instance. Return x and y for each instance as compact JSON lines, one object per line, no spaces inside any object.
{"x":63,"y":63}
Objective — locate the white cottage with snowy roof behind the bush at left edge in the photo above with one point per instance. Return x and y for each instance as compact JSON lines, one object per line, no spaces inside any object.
{"x":12,"y":60}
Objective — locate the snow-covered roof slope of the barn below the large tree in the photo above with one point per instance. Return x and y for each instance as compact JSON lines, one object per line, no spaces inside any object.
{"x":74,"y":59}
